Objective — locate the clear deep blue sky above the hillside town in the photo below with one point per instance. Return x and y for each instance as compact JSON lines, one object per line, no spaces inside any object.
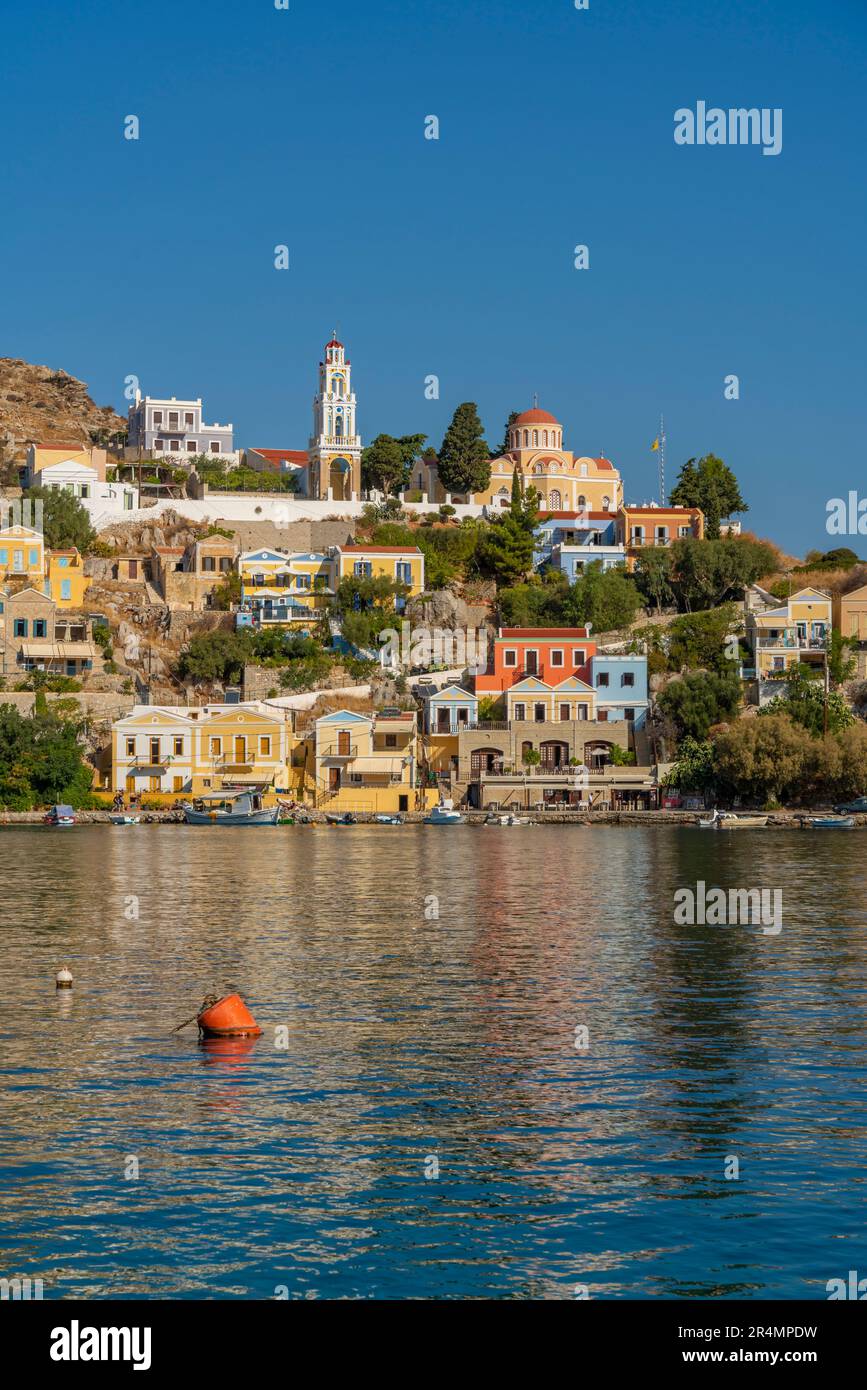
{"x":305,"y":127}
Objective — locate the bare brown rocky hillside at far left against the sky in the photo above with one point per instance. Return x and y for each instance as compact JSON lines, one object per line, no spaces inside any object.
{"x":44,"y":407}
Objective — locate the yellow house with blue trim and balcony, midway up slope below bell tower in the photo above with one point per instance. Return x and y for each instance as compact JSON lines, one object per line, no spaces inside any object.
{"x":284,"y":589}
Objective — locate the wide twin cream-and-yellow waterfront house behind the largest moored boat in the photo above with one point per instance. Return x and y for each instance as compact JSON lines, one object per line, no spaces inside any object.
{"x":192,"y":750}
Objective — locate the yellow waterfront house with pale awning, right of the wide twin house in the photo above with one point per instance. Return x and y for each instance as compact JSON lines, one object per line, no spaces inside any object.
{"x":369,"y":762}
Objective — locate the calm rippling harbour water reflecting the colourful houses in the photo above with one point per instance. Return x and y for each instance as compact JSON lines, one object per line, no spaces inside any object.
{"x":423,"y":1045}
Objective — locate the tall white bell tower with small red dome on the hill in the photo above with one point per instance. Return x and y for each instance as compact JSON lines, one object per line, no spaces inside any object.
{"x":336,"y":445}
